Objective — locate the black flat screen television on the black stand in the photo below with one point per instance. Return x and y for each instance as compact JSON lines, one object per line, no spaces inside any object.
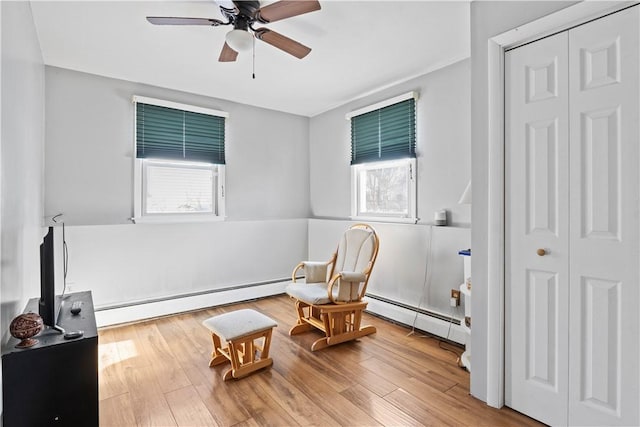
{"x":49,"y":304}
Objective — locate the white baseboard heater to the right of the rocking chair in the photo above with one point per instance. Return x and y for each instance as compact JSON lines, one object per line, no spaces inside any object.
{"x":424,"y":322}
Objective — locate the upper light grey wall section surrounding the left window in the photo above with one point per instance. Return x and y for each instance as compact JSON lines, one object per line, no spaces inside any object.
{"x":90,"y":151}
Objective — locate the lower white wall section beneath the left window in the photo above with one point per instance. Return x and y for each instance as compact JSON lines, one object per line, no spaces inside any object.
{"x":126,"y":264}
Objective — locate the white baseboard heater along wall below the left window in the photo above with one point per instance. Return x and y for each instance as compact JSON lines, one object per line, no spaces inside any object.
{"x":142,"y":311}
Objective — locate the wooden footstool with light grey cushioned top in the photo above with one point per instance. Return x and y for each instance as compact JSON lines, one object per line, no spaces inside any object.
{"x":240,"y":329}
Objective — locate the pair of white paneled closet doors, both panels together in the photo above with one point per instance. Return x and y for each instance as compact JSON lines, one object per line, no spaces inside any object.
{"x":572,"y":322}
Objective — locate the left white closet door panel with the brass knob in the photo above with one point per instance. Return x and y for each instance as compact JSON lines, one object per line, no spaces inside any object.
{"x":536,"y":213}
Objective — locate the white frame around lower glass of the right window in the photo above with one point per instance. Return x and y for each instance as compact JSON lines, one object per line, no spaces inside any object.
{"x":411,"y":217}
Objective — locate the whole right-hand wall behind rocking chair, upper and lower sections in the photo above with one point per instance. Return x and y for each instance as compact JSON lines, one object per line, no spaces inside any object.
{"x":443,"y":156}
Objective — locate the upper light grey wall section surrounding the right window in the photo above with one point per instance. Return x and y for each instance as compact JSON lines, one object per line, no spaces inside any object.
{"x":442,"y":146}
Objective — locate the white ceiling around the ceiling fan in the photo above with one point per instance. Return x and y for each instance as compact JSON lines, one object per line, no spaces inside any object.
{"x":359,"y":47}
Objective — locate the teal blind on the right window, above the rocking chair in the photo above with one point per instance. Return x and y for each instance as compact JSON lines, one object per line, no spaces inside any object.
{"x":387,"y":133}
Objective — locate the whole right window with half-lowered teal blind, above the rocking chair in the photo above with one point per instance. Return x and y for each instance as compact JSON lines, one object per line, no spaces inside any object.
{"x":383,"y":165}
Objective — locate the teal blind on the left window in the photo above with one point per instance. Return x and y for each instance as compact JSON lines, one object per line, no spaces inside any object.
{"x":172,"y":134}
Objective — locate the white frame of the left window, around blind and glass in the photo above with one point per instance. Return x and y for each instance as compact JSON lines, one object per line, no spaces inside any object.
{"x":139,"y":184}
